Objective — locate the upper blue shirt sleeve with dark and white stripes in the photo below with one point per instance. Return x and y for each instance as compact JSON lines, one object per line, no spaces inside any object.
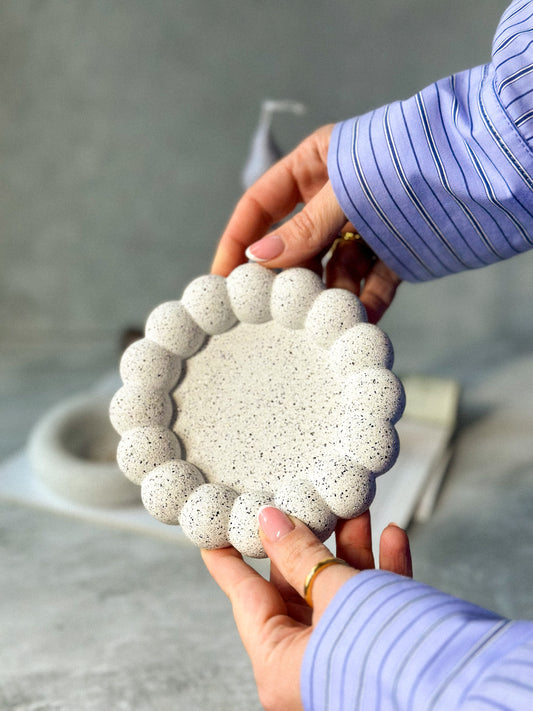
{"x":443,"y":181}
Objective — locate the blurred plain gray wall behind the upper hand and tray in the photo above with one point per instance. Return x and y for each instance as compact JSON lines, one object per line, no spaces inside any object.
{"x":124,"y":127}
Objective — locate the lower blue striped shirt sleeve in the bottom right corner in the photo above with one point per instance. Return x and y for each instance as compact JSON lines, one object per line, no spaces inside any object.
{"x":388,"y":642}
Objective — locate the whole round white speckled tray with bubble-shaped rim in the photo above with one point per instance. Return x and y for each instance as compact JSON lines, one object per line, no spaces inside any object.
{"x":252,"y":390}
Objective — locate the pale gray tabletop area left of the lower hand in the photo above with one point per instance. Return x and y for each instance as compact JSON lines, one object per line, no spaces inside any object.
{"x":94,"y":619}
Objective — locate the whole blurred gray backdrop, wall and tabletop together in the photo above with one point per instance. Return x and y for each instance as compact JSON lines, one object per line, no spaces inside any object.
{"x":124,"y":126}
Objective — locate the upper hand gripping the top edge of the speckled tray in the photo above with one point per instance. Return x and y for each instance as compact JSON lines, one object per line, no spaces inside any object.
{"x":302,"y":177}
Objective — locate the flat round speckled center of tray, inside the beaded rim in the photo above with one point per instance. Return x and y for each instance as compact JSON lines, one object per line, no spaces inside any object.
{"x":257,"y":406}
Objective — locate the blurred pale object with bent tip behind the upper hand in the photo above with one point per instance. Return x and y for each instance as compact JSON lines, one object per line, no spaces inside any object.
{"x":263,"y":149}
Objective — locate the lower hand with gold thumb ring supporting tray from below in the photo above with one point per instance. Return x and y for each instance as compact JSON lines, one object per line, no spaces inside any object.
{"x":272,"y":618}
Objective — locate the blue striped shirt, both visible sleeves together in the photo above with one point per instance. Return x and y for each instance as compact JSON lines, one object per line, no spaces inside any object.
{"x":436,"y":184}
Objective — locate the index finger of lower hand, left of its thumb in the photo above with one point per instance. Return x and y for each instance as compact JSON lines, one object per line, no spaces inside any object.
{"x":254,"y":600}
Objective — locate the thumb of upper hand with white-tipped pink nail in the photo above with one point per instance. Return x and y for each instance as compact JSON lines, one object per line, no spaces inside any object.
{"x":305,"y":235}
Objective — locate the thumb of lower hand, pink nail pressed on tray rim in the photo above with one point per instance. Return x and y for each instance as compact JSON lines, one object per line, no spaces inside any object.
{"x":295,"y":550}
